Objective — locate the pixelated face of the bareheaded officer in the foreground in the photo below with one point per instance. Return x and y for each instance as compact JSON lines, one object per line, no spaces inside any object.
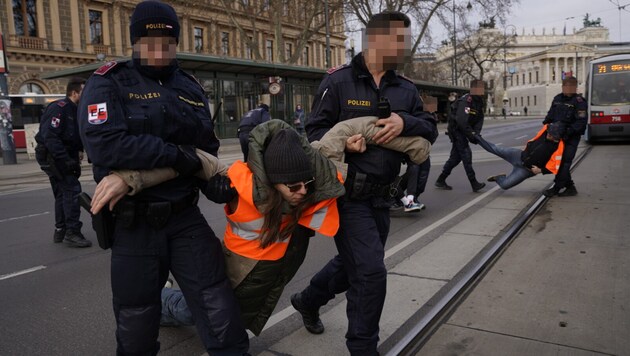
{"x":388,"y":47}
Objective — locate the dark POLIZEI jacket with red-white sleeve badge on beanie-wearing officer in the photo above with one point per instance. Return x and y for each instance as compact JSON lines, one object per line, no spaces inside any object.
{"x":128,"y":120}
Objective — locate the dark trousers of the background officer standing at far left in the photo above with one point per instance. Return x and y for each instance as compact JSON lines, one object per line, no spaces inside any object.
{"x":67,"y":209}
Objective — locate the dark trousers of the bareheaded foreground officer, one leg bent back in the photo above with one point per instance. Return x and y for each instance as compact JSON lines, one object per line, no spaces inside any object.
{"x":359,"y":270}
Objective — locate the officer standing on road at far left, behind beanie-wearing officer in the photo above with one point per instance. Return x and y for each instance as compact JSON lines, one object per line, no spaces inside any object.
{"x":59,"y":152}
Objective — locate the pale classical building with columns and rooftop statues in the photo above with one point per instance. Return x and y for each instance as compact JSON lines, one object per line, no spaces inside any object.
{"x":528,"y":70}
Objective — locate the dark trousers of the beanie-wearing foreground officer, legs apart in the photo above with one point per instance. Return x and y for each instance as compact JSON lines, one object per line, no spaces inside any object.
{"x":141,"y":259}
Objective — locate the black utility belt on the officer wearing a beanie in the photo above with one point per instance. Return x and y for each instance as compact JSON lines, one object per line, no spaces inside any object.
{"x":155,"y":214}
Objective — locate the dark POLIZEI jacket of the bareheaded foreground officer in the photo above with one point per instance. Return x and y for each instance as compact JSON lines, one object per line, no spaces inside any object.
{"x":349,"y":91}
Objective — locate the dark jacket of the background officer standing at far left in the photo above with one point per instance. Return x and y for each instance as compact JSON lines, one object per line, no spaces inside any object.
{"x":59,"y":132}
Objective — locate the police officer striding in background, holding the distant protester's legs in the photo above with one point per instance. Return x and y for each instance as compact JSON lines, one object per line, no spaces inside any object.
{"x":464,"y":123}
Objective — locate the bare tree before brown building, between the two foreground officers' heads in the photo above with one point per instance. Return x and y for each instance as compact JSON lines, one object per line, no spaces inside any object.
{"x":300,"y":20}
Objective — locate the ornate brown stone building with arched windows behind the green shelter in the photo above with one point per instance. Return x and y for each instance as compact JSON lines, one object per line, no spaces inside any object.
{"x":44,"y":36}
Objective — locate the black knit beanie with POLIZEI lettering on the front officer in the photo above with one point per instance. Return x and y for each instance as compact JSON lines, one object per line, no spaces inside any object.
{"x":153,"y":16}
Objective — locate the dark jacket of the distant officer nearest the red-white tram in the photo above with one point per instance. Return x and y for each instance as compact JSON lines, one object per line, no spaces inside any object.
{"x":570,"y":112}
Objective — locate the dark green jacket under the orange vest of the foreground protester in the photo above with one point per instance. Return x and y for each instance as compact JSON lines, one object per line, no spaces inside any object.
{"x":258,"y":285}
